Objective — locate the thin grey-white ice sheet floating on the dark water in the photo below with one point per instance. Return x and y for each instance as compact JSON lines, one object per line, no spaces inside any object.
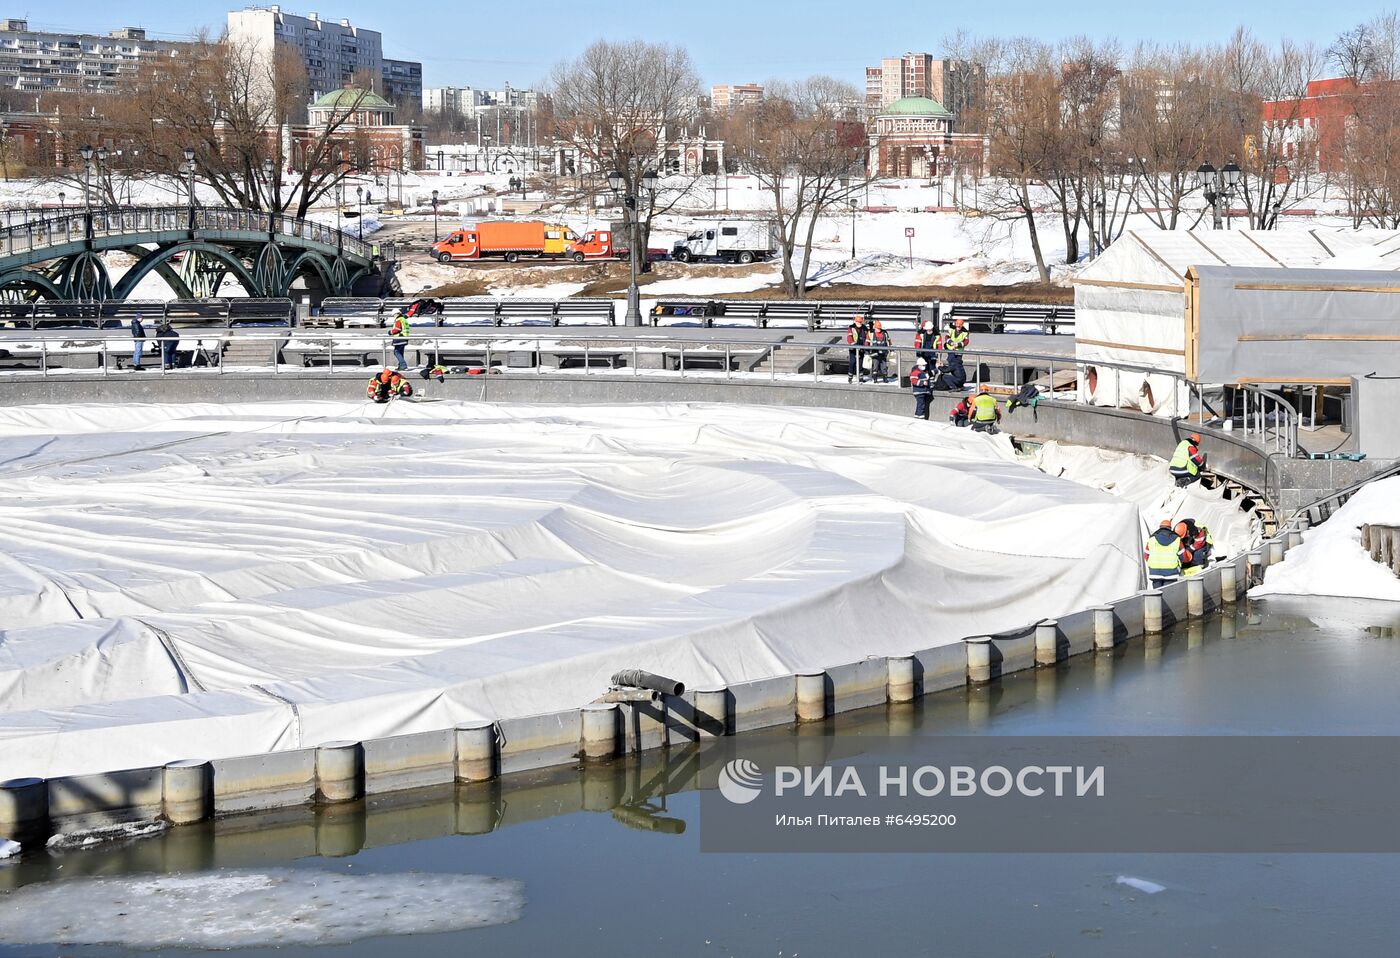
{"x":254,"y":910}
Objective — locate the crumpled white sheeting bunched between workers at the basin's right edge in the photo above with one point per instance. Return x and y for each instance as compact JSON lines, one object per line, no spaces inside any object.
{"x":1143,"y":480}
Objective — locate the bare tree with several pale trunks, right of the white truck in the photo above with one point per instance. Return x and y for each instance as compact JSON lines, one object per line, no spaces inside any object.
{"x":804,"y":148}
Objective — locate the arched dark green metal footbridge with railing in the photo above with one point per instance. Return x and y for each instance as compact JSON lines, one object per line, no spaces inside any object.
{"x":47,"y":254}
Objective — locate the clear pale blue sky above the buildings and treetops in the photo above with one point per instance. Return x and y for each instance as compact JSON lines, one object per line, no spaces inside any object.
{"x":468,"y":43}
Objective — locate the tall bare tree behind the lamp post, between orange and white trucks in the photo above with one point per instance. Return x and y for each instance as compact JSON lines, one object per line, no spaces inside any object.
{"x":619,"y":106}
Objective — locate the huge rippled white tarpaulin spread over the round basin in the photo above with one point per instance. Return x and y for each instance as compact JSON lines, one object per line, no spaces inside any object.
{"x":202,"y":582}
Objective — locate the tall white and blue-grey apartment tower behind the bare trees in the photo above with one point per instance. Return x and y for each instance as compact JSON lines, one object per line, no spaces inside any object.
{"x":334,"y":53}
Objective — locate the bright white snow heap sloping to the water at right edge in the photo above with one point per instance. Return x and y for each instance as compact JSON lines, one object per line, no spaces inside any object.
{"x":1332,"y":562}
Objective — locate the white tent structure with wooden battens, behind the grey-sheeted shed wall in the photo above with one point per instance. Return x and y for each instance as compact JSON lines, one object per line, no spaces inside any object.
{"x":1133,"y":303}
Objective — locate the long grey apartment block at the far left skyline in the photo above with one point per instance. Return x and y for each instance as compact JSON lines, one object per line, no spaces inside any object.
{"x":38,"y":61}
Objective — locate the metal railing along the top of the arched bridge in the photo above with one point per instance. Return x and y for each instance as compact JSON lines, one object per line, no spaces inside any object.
{"x":27,"y":232}
